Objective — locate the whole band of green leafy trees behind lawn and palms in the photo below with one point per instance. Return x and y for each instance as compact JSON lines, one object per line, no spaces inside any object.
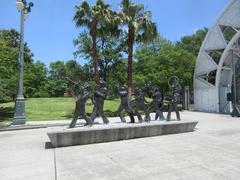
{"x":154,"y":63}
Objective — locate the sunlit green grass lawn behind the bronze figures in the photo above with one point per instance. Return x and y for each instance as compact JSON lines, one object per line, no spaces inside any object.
{"x":38,"y":109}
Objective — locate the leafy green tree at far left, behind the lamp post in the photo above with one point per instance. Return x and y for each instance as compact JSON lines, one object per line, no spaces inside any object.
{"x":9,"y":53}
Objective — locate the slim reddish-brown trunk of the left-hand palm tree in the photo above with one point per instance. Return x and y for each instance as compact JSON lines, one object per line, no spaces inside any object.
{"x":95,"y":58}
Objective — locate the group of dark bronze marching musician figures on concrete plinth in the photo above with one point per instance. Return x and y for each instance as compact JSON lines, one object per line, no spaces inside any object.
{"x":133,"y":107}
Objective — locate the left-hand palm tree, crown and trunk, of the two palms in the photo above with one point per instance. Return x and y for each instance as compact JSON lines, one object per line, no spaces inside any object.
{"x":94,"y":18}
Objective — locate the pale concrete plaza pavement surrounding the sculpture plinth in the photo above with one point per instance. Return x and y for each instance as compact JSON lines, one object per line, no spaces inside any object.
{"x":211,"y":152}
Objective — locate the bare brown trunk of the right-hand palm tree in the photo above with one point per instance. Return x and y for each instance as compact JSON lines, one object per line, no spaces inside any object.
{"x":130,"y":55}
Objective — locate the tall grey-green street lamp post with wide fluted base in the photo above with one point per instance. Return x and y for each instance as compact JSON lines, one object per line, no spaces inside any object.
{"x":19,"y":115}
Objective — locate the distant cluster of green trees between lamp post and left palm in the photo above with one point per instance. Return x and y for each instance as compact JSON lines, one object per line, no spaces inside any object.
{"x":52,"y":82}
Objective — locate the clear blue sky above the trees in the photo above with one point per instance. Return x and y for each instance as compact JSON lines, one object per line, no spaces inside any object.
{"x":50,"y":30}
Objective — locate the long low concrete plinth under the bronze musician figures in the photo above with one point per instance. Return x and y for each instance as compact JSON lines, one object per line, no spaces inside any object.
{"x":63,"y":136}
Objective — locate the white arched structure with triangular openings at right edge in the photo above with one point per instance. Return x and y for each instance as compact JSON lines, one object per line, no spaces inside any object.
{"x":214,"y":67}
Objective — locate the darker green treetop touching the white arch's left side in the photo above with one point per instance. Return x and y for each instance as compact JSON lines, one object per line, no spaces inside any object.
{"x":193,"y":42}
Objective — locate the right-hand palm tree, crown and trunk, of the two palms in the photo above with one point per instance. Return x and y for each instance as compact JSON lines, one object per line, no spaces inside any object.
{"x":140,"y":28}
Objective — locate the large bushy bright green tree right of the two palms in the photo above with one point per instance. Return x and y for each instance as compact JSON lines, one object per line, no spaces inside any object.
{"x":169,"y":60}
